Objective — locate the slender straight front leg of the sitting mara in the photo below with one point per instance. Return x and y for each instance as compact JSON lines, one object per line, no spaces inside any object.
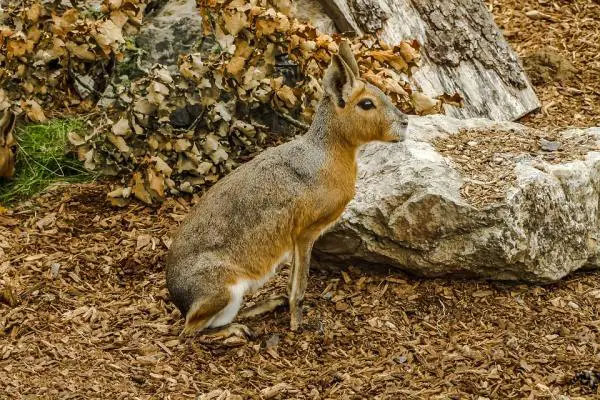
{"x":299,"y":279}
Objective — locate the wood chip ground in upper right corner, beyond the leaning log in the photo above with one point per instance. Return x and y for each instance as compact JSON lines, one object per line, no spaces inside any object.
{"x":559,"y":44}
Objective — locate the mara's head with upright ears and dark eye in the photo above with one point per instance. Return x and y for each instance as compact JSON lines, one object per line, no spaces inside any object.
{"x":361,"y":111}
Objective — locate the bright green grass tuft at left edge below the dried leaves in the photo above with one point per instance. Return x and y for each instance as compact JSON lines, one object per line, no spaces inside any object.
{"x":42,"y":159}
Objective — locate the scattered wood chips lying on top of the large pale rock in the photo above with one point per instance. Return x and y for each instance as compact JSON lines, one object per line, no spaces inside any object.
{"x":486,"y":159}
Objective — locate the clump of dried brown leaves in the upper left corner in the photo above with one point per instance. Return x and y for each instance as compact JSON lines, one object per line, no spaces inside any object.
{"x":55,"y":58}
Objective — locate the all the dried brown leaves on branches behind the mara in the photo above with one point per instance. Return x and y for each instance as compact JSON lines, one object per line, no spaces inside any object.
{"x":256,"y":83}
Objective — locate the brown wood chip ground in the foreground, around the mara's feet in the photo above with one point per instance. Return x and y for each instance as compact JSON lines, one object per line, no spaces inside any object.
{"x":84,"y":313}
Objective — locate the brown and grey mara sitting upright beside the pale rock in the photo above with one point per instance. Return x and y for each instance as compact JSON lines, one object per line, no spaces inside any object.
{"x":278,"y":203}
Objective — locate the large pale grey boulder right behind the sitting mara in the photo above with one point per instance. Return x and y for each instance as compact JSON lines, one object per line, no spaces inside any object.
{"x":408,"y":213}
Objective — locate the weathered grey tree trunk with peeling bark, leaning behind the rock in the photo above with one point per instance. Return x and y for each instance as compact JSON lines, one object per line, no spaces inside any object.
{"x":462,"y":51}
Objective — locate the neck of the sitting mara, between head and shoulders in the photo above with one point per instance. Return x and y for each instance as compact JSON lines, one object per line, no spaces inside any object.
{"x":324,"y":132}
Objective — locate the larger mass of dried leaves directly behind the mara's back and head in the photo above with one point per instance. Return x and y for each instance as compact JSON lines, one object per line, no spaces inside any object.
{"x":256,"y":84}
